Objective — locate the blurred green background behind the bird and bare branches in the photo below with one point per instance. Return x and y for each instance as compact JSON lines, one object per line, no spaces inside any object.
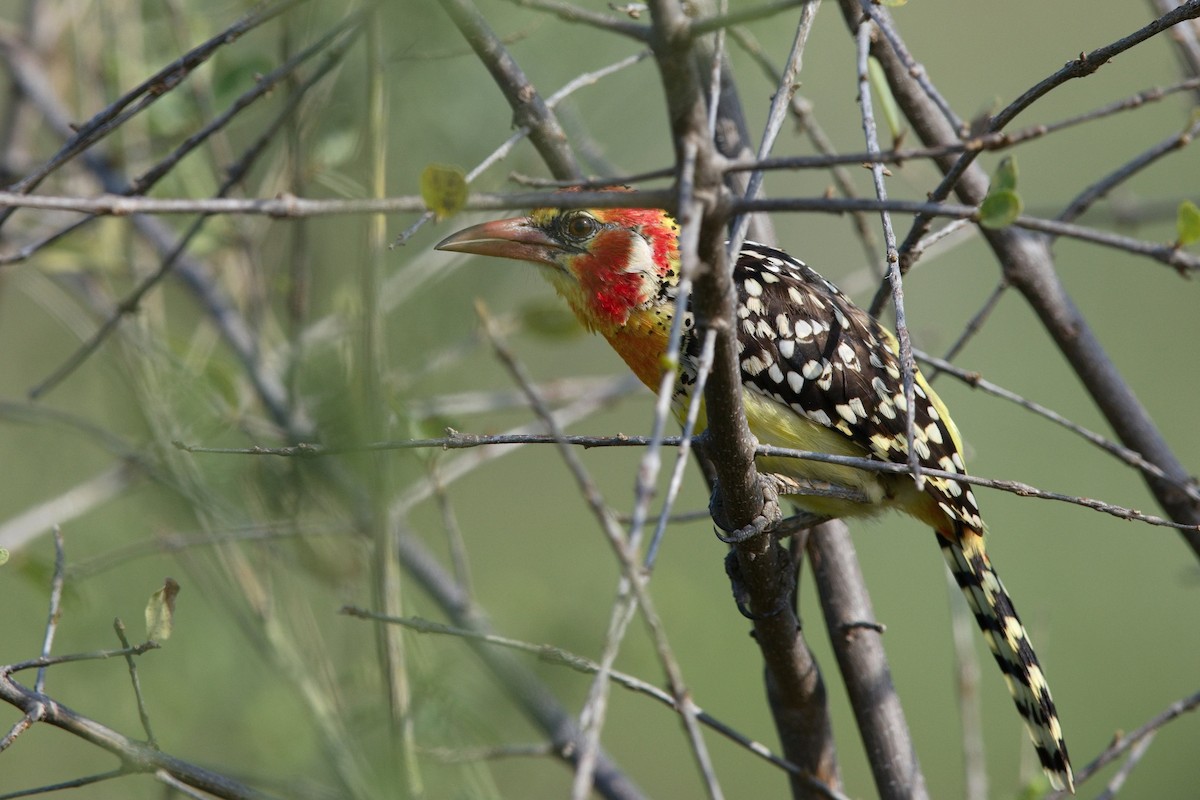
{"x":261,"y":665}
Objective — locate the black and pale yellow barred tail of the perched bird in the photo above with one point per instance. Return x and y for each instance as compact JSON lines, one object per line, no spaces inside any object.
{"x":1011,"y":645}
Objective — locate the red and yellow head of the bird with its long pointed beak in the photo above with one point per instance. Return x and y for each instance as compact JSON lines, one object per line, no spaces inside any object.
{"x":608,"y":263}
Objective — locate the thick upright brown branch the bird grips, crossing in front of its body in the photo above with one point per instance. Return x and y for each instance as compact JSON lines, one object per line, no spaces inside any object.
{"x":764,"y":573}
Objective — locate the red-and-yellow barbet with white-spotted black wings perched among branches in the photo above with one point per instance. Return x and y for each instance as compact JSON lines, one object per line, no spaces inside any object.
{"x":818,"y":374}
